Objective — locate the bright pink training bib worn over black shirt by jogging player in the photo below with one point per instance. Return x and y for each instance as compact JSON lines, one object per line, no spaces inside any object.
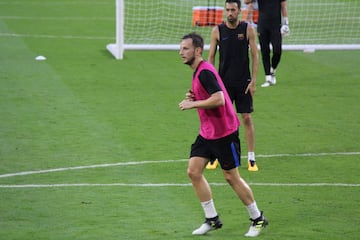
{"x":217,"y":122}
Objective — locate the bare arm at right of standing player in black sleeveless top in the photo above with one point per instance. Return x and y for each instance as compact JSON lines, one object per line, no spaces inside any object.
{"x":254,"y":59}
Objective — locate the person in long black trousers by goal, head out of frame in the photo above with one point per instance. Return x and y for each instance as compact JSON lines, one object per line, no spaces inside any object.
{"x":272,"y":24}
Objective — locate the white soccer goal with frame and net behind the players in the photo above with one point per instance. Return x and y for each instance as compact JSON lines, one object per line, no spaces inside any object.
{"x":159,"y":24}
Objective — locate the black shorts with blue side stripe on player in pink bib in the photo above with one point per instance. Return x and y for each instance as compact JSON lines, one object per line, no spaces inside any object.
{"x":226,"y":150}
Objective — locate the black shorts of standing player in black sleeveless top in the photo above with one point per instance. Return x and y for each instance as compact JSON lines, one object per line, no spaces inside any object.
{"x":243,"y":102}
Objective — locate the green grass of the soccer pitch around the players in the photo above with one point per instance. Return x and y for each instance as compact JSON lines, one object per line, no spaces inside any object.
{"x":81,"y":107}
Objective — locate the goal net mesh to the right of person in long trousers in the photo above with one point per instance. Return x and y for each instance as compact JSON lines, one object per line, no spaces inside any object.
{"x":324,"y":22}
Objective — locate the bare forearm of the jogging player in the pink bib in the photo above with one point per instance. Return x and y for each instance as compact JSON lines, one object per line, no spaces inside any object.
{"x":215,"y":100}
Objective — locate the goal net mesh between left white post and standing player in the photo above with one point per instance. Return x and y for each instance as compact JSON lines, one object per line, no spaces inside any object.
{"x":160,"y":22}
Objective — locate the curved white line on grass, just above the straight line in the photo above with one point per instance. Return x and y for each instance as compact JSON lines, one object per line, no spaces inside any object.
{"x":163,"y":161}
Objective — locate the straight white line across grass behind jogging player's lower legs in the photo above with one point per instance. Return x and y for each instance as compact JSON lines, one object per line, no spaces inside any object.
{"x":175,"y":185}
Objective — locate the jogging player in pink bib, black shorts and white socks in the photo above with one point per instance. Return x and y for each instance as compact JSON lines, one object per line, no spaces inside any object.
{"x":218,"y":138}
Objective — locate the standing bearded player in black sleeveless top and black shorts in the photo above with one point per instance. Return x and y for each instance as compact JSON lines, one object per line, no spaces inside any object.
{"x":234,"y":37}
